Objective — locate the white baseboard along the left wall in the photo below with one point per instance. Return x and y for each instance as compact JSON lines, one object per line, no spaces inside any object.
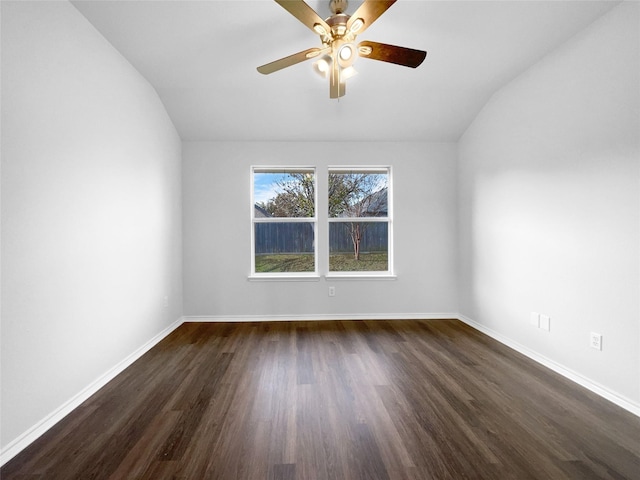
{"x":24,"y":440}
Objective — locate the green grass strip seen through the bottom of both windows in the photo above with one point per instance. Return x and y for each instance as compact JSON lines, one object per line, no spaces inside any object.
{"x":338,"y":262}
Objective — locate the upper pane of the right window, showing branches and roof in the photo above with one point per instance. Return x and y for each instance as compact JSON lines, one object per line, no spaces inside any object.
{"x":360,"y":194}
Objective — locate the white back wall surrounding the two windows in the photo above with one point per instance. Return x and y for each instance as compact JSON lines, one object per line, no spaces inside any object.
{"x":216,"y":189}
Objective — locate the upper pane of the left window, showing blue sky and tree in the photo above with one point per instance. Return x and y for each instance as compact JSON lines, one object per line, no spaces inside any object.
{"x":290,"y":194}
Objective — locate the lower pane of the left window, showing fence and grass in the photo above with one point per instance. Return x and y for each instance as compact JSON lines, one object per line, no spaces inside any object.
{"x":284,"y":247}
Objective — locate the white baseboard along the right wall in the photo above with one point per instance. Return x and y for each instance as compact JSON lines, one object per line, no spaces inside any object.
{"x":581,"y":380}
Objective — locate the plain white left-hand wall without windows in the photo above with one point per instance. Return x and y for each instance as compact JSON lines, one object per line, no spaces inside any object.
{"x":91,"y":233}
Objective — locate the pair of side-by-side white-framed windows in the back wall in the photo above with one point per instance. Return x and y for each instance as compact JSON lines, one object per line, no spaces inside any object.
{"x":356,"y":234}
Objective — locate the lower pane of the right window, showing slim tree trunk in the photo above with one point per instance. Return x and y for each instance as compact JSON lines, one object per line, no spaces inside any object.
{"x":358,"y":246}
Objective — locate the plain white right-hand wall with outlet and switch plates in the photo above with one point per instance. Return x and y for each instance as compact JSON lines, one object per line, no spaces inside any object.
{"x":549,"y":183}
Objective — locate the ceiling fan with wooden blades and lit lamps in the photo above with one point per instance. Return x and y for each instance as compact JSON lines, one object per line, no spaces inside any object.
{"x":338,"y":34}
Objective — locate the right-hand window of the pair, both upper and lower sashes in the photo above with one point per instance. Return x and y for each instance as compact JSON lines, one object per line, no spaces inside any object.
{"x":359,"y":221}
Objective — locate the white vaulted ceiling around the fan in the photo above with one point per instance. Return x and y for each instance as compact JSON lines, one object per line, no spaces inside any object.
{"x":201,"y":57}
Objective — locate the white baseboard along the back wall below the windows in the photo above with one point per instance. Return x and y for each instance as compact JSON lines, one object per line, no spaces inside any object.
{"x":317,"y":317}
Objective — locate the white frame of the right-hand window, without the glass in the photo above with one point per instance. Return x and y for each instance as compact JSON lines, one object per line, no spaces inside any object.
{"x":364,"y":274}
